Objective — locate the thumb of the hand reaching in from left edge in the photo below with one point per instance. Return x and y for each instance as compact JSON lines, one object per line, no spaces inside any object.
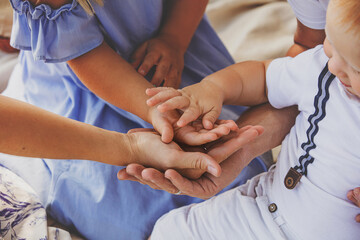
{"x":197,"y":160}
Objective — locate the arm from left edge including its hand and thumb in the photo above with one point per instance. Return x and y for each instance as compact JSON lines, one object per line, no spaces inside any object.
{"x":26,"y":130}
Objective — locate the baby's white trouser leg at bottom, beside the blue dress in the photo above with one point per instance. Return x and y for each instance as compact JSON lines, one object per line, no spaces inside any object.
{"x":236,"y":214}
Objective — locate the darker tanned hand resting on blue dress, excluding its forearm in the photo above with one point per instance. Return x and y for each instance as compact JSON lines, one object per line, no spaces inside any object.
{"x":159,"y":52}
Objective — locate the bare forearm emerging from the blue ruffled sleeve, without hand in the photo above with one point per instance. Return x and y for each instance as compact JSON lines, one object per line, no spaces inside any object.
{"x":113,"y":79}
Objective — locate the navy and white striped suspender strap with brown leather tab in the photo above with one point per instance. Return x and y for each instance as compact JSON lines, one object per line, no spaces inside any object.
{"x":320,"y":100}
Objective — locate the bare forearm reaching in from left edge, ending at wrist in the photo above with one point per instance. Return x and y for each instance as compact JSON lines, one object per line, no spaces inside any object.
{"x":29,"y":131}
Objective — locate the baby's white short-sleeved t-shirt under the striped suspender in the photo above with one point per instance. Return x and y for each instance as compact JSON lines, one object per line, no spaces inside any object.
{"x":317,"y":207}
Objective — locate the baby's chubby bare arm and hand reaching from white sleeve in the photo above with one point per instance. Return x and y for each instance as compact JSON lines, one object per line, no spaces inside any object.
{"x":239,"y":84}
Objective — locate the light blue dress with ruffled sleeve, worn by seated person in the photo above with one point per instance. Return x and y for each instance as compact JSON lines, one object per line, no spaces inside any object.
{"x":86,"y":195}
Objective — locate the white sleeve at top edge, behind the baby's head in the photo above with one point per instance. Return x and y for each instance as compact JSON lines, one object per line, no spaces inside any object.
{"x":311,"y":13}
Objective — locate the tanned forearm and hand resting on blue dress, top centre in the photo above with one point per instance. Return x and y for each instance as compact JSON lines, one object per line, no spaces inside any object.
{"x":166,"y":50}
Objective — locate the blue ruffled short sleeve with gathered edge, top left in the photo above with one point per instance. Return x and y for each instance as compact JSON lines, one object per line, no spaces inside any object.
{"x":54,"y":35}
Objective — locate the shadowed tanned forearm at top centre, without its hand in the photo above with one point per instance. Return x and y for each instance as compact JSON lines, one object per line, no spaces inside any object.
{"x":181,"y":20}
